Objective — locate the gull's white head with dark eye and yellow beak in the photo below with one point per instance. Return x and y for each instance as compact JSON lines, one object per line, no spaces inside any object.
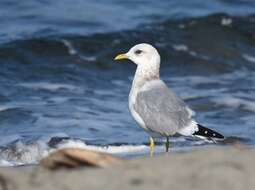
{"x":145,"y":56}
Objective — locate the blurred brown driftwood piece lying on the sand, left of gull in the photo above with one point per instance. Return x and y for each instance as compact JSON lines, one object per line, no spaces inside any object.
{"x":76,"y":157}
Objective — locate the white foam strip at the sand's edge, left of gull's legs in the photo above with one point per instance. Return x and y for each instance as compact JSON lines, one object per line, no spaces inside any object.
{"x":22,"y":153}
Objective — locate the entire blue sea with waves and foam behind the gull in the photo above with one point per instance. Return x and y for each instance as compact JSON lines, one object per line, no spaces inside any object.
{"x":59,"y":85}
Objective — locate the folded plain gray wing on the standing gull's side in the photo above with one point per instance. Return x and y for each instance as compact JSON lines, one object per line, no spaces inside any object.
{"x":161,"y":109}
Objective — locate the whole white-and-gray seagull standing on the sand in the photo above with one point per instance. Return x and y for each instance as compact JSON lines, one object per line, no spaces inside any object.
{"x":154,"y":106}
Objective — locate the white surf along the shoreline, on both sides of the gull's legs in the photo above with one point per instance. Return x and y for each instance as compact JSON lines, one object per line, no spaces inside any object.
{"x":20,"y":152}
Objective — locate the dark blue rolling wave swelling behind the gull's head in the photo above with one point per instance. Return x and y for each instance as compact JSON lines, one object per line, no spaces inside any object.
{"x":98,"y":49}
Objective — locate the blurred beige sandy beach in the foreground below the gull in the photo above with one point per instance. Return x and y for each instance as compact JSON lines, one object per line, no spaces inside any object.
{"x":224,"y":168}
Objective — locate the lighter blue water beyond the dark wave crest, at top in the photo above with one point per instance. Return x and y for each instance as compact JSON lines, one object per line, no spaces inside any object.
{"x":65,"y":22}
